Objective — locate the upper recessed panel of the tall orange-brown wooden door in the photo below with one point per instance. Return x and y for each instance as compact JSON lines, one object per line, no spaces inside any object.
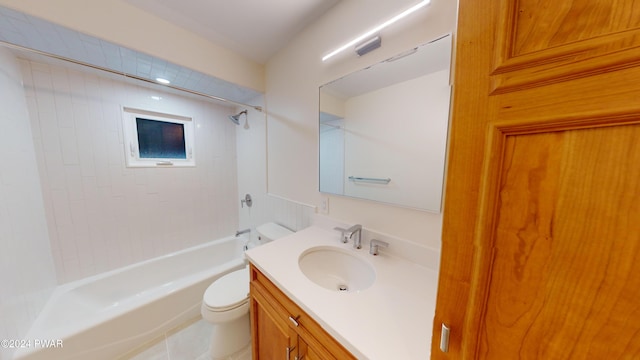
{"x":541,"y":42}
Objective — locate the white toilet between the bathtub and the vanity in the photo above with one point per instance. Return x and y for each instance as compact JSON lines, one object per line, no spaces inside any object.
{"x":225,"y":303}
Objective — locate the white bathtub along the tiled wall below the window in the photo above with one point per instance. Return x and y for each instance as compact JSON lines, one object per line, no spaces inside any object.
{"x":106,"y":315}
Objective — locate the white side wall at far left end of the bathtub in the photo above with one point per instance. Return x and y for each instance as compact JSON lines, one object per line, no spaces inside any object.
{"x":27,"y":274}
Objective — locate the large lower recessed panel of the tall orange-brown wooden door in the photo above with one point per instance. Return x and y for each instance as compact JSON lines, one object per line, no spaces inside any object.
{"x":563,"y":280}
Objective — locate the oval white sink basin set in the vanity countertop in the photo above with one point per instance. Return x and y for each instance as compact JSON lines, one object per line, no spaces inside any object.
{"x":336,"y":269}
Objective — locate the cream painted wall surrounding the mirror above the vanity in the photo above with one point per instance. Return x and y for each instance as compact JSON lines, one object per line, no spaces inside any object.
{"x":293,"y":78}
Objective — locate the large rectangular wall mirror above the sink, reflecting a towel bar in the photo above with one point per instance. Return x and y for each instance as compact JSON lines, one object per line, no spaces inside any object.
{"x":383,"y":129}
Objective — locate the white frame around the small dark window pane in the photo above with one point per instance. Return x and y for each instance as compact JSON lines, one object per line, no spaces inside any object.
{"x":132,"y":148}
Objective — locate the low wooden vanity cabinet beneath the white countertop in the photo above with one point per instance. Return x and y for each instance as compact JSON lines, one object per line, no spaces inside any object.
{"x":281,"y":330}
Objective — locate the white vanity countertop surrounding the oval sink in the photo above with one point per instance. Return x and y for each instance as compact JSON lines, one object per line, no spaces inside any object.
{"x":390,"y":320}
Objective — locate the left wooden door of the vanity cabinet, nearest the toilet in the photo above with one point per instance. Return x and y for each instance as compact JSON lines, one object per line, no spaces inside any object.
{"x":272,"y":337}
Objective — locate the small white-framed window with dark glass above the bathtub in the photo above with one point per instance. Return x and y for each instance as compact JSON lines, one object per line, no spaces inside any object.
{"x":155,"y":139}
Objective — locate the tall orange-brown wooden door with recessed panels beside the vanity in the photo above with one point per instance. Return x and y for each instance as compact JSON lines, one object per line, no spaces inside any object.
{"x":541,"y":234}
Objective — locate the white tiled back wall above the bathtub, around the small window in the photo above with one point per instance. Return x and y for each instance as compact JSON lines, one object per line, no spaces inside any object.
{"x":102,"y":215}
